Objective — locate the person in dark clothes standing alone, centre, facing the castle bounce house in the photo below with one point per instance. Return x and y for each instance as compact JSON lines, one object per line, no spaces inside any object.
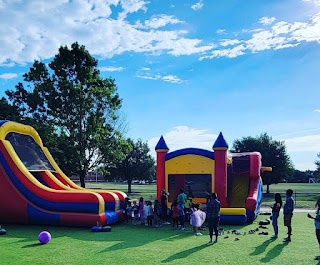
{"x":213,"y":216}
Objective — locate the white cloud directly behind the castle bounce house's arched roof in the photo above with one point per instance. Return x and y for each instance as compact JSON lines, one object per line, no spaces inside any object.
{"x":186,"y":137}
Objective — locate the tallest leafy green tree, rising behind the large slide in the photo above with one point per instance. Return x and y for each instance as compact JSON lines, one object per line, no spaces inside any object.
{"x":75,"y":107}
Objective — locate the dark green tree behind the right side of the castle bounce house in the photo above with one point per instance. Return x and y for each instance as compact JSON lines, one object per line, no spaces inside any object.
{"x":274,"y":154}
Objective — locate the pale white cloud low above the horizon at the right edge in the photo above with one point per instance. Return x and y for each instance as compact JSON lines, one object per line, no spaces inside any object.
{"x":309,"y":143}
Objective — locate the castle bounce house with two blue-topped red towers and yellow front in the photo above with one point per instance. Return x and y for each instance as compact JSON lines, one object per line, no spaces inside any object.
{"x":235,"y":179}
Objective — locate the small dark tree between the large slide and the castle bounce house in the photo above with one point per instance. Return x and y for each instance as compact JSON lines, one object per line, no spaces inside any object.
{"x":137,"y":164}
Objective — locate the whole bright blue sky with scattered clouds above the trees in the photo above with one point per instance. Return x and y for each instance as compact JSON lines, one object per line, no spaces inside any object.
{"x":187,"y":69}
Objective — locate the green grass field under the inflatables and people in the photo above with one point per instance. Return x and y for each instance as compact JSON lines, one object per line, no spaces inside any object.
{"x":130,"y":244}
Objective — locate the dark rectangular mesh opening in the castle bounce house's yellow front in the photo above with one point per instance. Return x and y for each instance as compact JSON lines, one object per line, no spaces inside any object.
{"x":194,"y":185}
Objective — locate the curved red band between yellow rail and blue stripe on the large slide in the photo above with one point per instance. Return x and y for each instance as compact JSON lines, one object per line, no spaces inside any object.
{"x":68,"y":196}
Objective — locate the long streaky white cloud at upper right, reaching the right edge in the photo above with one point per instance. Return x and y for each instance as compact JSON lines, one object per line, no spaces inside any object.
{"x":277,"y":36}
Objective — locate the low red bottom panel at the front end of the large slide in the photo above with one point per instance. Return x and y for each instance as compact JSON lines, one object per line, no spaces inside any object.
{"x":82,"y":220}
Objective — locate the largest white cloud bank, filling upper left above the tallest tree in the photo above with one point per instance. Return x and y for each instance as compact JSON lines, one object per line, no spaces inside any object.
{"x":27,"y":32}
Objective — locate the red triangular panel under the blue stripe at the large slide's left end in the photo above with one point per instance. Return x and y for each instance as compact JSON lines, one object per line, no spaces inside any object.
{"x":12,"y":206}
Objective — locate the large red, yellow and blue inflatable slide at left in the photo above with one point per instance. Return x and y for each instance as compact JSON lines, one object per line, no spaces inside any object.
{"x":34,"y":190}
